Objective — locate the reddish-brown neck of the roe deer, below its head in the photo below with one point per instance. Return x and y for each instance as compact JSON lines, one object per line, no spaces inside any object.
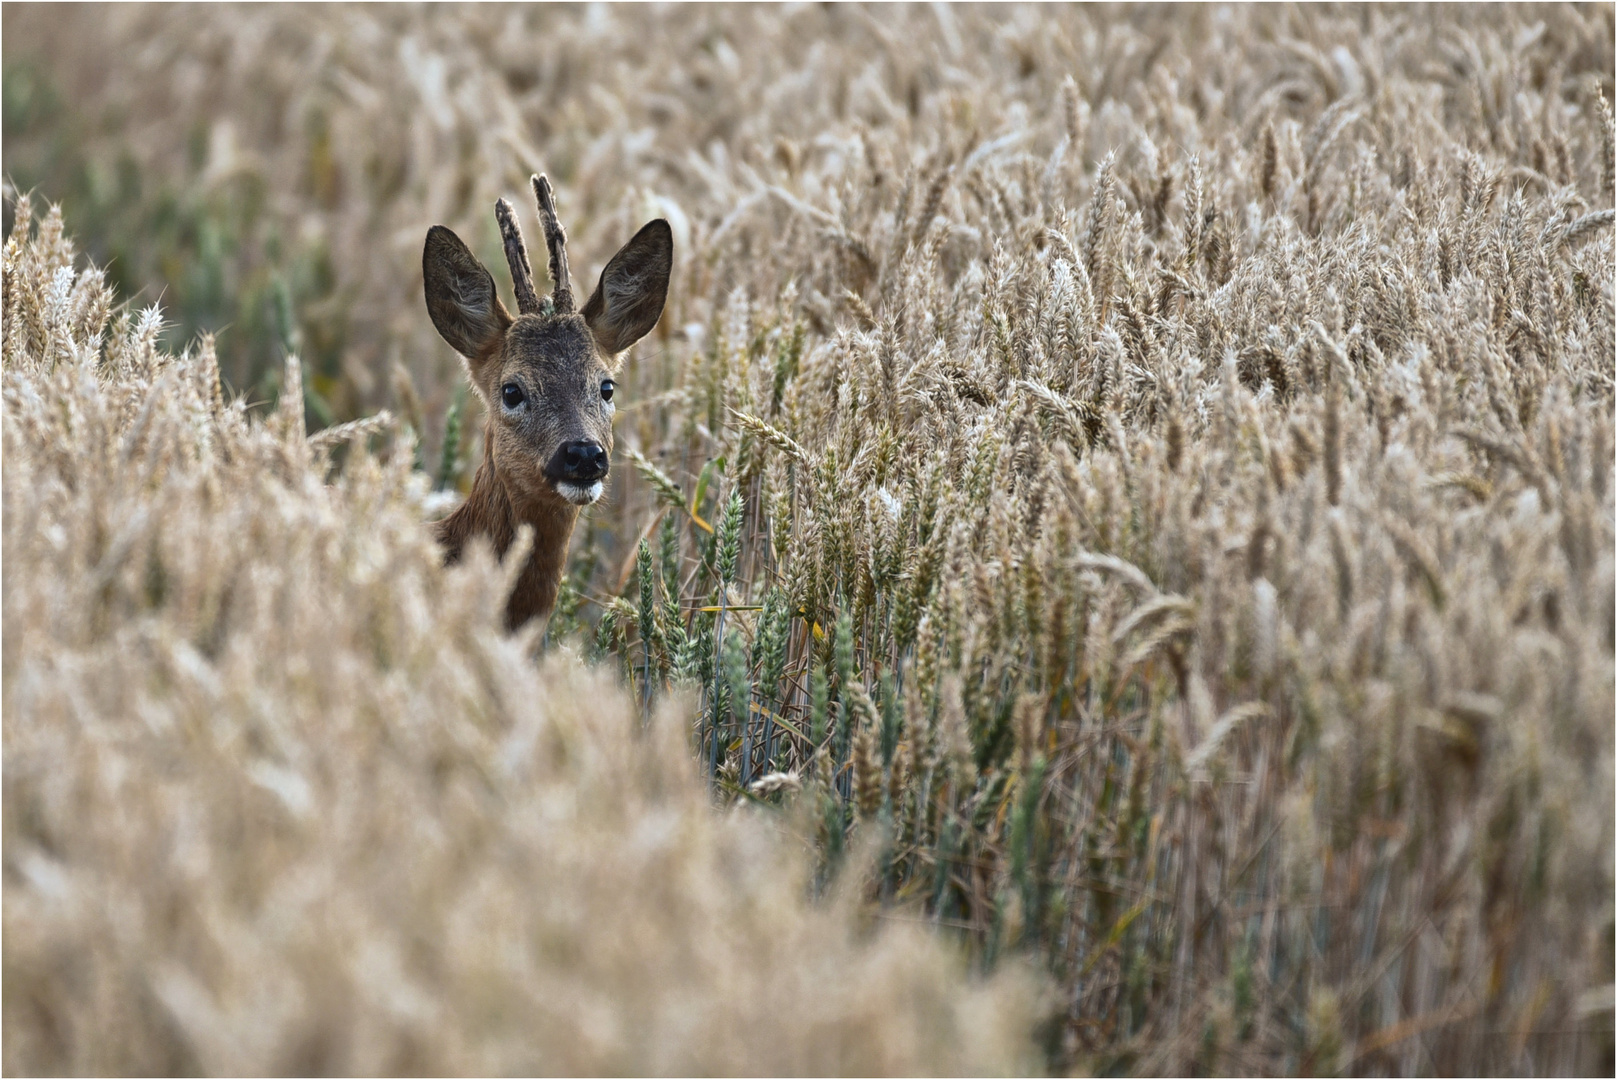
{"x":496,"y":512}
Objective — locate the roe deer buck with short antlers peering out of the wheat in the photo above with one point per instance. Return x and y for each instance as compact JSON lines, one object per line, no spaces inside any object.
{"x":546,"y":382}
